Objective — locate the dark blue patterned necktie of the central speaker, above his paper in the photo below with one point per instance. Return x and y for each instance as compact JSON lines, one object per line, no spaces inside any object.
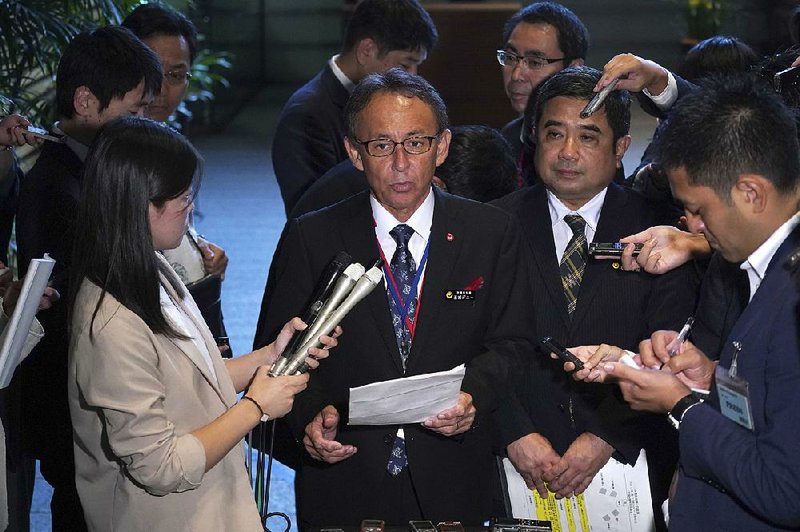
{"x":403,"y":271}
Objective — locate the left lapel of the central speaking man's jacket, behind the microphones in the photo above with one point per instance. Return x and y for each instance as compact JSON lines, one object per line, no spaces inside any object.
{"x":358,"y":234}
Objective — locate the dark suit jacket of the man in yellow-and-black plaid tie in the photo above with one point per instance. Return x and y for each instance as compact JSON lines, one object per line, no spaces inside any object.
{"x":614,"y":306}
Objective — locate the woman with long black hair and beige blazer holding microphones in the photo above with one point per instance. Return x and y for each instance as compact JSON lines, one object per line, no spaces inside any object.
{"x":157,"y":429}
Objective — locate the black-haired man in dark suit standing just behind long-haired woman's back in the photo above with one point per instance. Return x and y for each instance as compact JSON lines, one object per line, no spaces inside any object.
{"x":102,"y":75}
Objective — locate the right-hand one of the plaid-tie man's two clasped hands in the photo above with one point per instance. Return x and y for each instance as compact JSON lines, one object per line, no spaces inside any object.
{"x":573,"y":474}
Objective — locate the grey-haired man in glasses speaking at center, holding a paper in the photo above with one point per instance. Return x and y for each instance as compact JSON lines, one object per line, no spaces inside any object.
{"x":442,"y":468}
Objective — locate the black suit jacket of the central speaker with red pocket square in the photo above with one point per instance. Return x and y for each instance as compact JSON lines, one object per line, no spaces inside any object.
{"x":468,"y":241}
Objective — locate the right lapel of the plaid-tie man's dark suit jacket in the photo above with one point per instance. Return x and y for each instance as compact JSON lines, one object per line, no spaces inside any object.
{"x":609,"y":229}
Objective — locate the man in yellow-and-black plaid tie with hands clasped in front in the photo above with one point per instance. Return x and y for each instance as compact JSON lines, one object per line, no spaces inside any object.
{"x":560,"y":433}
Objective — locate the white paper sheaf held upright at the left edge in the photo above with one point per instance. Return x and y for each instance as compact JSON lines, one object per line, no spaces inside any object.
{"x":16,"y":332}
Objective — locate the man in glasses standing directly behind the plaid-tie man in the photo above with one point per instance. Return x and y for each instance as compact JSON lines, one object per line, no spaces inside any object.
{"x":539,"y":40}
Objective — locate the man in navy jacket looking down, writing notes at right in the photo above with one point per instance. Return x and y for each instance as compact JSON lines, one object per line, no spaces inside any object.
{"x":730,"y":153}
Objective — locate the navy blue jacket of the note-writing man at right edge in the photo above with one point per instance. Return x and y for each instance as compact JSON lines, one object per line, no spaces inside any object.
{"x":733,"y":478}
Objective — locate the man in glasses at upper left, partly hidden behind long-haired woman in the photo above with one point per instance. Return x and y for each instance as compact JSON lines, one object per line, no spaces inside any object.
{"x":173,"y":37}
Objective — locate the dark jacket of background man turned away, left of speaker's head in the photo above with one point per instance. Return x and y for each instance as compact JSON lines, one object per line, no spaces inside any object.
{"x":309,"y":139}
